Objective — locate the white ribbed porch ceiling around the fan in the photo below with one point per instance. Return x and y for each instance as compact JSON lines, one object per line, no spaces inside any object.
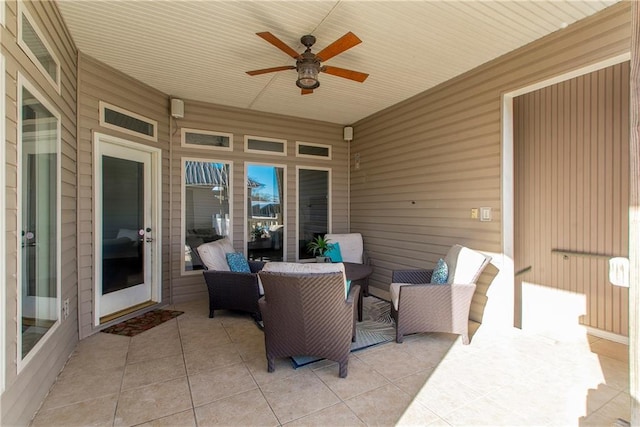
{"x":200,"y":50}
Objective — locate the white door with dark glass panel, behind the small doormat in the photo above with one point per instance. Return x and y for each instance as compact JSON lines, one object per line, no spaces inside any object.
{"x":127,"y":217}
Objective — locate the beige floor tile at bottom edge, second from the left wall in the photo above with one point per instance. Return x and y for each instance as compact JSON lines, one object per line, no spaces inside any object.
{"x":148,"y":403}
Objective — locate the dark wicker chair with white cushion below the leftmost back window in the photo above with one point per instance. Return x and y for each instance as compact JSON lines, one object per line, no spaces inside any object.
{"x":229,"y":290}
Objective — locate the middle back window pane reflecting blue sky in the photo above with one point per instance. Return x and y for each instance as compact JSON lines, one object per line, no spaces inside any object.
{"x":265,"y":219}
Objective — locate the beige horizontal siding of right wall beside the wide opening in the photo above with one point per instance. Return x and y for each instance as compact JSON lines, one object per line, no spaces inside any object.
{"x":427,"y":161}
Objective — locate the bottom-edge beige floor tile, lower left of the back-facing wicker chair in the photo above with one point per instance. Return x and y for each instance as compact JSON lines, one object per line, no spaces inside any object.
{"x":246,"y":409}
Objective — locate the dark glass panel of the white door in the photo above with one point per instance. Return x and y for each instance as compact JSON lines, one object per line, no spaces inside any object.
{"x":122,"y":224}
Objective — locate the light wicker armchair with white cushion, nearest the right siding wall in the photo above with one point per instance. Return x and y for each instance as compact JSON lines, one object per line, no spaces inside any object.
{"x":417,"y":305}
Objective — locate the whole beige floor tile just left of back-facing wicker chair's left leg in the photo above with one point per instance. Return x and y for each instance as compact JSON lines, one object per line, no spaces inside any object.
{"x":207,"y":386}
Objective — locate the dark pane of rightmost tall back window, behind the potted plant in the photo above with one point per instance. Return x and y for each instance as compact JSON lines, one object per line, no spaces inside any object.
{"x":313,"y":207}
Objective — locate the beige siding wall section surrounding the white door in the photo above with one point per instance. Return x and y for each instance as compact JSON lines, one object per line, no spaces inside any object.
{"x":99,"y":82}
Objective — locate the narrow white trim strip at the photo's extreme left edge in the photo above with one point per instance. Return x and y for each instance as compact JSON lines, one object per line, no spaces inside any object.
{"x":3,"y":228}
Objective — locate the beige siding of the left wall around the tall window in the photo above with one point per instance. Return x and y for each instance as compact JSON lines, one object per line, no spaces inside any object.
{"x":34,"y":380}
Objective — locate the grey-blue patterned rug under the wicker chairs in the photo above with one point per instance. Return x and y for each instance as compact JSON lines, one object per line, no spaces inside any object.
{"x":377,"y":327}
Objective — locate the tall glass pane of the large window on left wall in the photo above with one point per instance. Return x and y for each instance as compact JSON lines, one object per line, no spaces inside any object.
{"x":39,"y":219}
